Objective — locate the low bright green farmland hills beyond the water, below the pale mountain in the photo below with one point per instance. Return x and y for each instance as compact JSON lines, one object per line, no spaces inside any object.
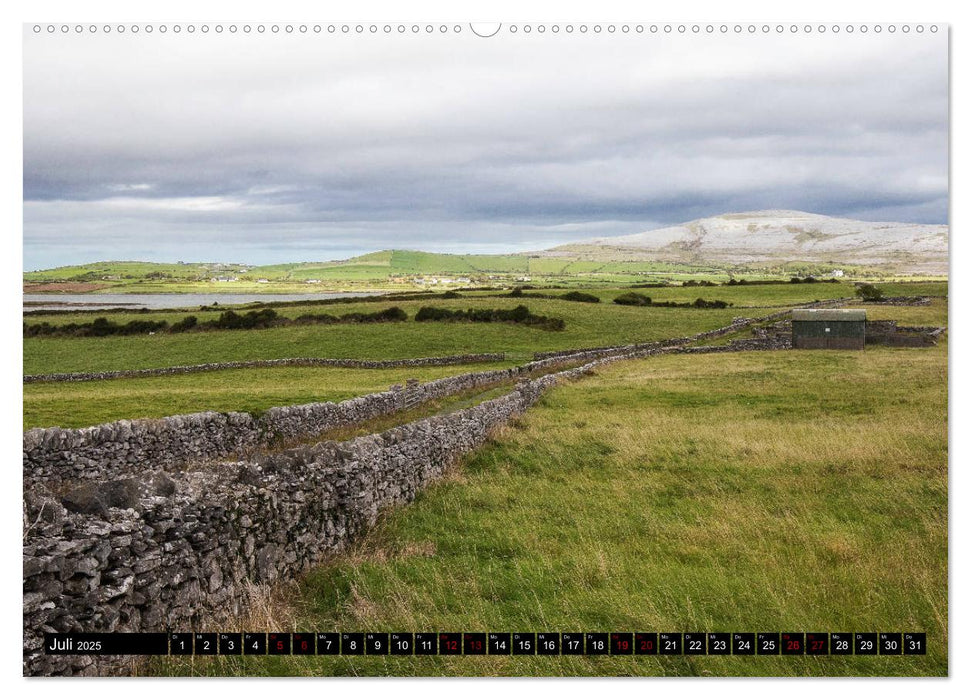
{"x":401,"y":269}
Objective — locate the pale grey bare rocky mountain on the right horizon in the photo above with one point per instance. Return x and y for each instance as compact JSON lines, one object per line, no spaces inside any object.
{"x":780,"y":235}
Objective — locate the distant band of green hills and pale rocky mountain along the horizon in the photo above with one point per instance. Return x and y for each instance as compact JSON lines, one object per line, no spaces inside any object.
{"x":762,"y":244}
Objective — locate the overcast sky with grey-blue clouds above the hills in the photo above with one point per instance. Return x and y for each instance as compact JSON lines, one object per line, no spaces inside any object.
{"x":275,"y":148}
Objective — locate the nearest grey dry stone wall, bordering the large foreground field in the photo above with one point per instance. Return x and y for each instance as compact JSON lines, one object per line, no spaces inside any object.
{"x":171,"y":550}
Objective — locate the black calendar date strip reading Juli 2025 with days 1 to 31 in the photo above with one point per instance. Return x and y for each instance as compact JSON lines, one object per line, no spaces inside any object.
{"x":488,"y":643}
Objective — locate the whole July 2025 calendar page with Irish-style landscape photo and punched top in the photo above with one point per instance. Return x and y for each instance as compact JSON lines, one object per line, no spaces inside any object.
{"x":423,"y":348}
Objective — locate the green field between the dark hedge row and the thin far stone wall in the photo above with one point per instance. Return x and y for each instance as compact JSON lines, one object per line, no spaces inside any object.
{"x":586,"y":325}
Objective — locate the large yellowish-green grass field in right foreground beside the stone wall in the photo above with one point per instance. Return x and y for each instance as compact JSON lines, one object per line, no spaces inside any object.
{"x":745,"y":492}
